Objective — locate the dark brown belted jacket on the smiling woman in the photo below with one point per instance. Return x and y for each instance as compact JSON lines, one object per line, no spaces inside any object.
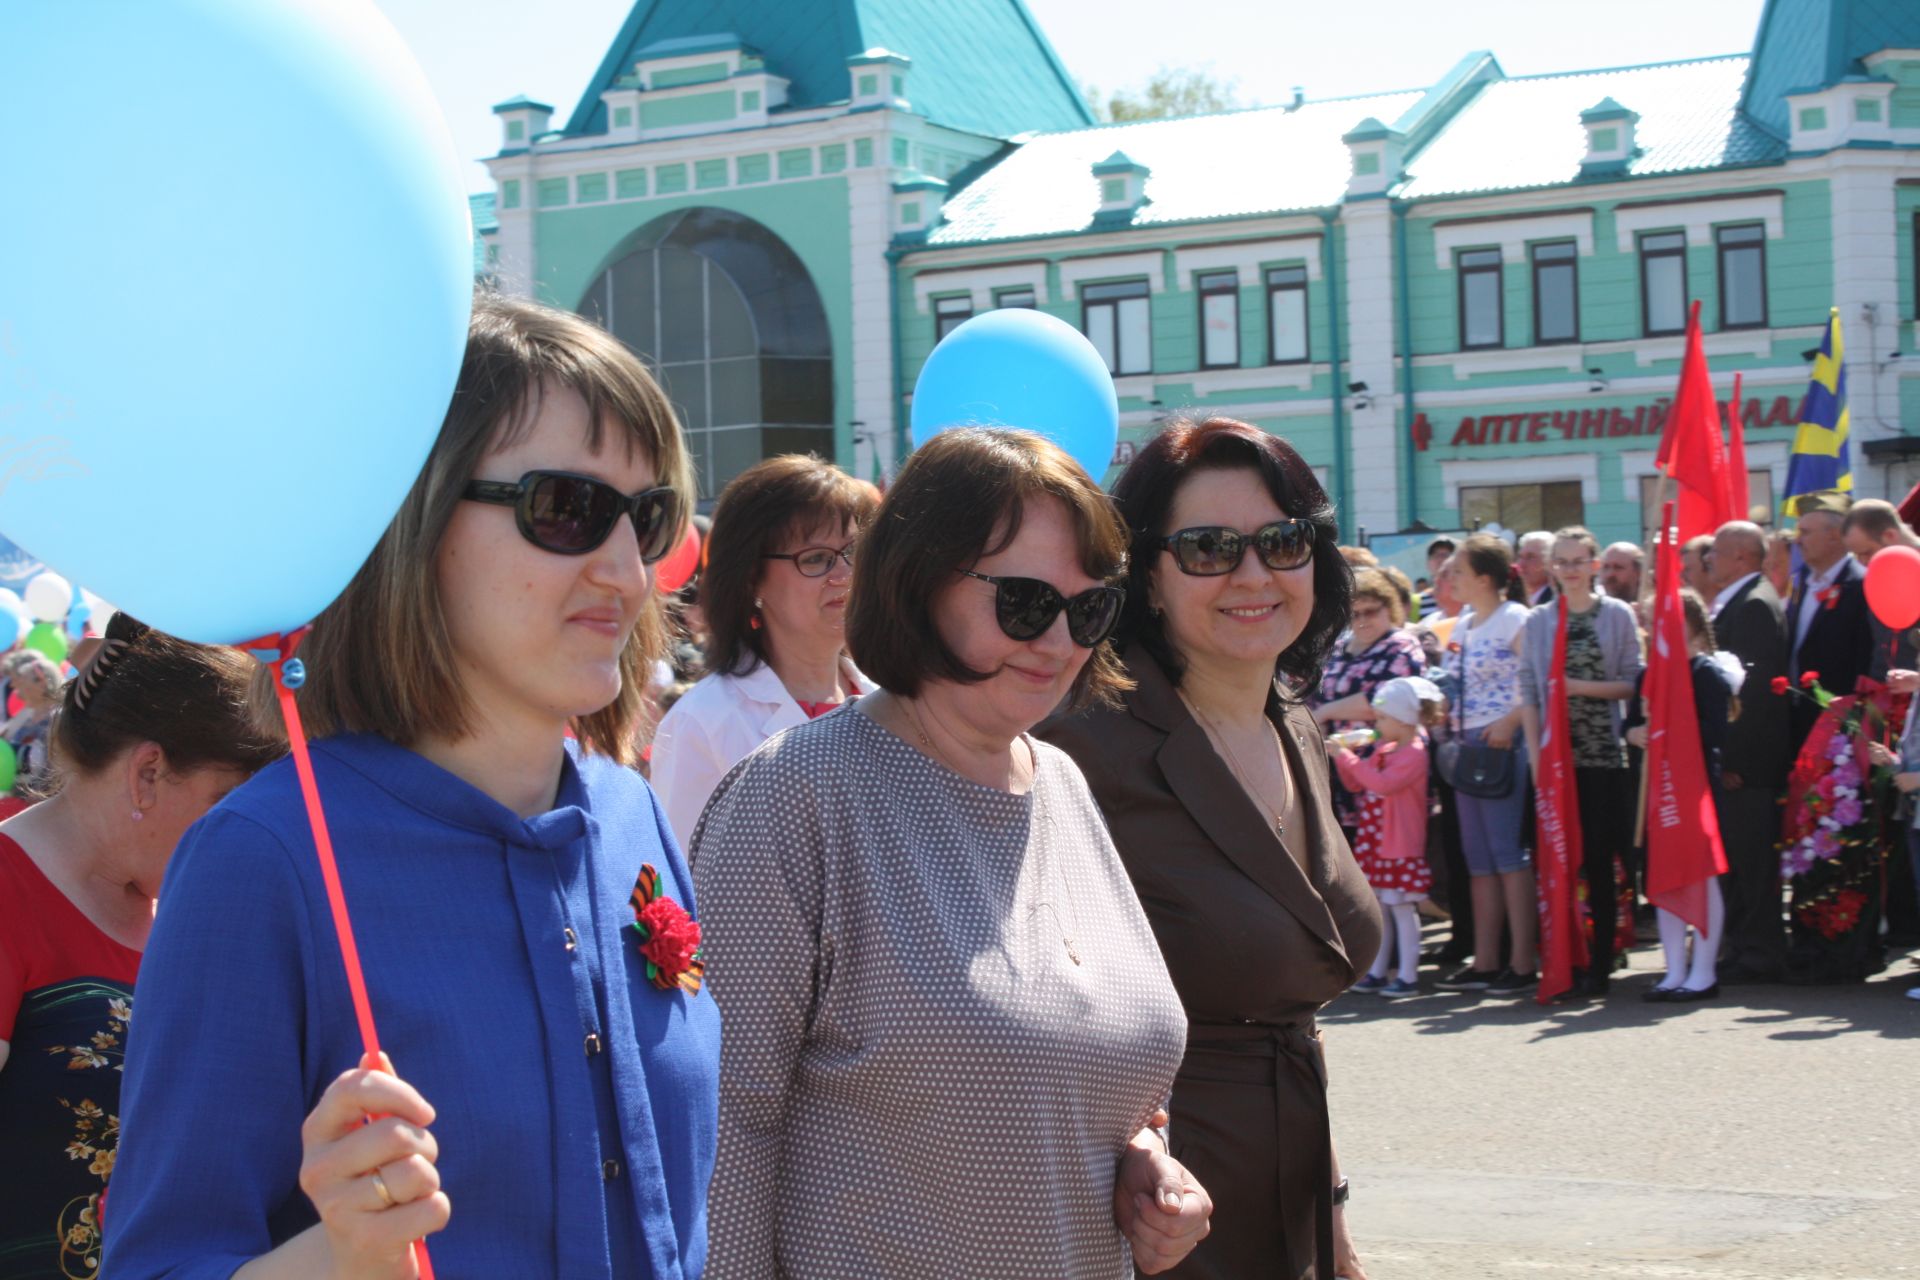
{"x":1255,"y":947}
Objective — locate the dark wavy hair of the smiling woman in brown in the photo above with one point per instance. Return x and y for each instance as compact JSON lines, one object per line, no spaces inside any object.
{"x":1145,"y":494}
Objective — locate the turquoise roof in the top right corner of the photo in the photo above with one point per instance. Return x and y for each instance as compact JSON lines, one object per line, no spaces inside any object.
{"x":1815,"y":43}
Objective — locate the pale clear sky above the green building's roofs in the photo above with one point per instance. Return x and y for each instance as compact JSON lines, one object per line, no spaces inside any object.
{"x":479,"y":53}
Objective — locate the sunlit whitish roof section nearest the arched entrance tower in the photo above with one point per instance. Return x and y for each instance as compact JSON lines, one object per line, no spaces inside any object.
{"x":1222,"y":166}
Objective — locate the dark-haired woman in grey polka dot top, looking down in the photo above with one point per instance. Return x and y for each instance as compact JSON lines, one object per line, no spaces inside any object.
{"x":949,"y":1033}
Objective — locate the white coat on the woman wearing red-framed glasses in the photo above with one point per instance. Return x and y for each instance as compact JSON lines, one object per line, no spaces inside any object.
{"x":717,"y":724}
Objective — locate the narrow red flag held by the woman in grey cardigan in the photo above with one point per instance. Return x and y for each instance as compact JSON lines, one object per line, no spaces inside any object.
{"x":1558,"y":809}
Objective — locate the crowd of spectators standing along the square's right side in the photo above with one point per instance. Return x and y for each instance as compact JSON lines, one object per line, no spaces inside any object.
{"x":1779,"y":628}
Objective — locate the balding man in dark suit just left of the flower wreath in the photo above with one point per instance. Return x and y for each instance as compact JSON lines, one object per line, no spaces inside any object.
{"x":1756,"y":759}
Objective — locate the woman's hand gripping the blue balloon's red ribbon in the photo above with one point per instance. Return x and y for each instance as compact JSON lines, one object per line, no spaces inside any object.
{"x":348,"y":1162}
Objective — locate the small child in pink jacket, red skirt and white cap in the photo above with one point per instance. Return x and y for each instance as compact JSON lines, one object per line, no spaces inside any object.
{"x":1391,"y":841}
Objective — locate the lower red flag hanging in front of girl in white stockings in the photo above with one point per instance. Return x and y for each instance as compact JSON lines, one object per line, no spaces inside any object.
{"x":1683,"y":828}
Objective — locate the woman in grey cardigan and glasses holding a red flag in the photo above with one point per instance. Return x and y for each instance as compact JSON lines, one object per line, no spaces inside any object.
{"x":1579,"y":659}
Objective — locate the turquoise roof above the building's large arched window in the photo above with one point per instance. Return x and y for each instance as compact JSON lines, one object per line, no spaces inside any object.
{"x":982,"y":66}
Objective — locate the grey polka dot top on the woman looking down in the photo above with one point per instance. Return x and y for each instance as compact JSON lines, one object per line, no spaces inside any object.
{"x":944,"y":1016}
